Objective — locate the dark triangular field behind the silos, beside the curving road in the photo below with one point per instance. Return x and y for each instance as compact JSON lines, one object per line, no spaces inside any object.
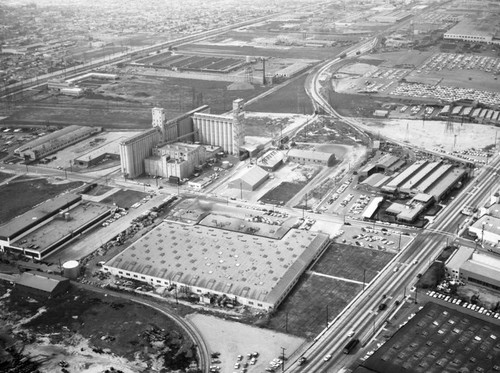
{"x":292,"y":98}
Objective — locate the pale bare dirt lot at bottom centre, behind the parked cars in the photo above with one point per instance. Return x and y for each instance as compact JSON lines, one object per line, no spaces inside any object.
{"x":232,"y":339}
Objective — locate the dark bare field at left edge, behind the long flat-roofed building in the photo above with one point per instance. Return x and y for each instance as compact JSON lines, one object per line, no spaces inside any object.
{"x":19,"y":197}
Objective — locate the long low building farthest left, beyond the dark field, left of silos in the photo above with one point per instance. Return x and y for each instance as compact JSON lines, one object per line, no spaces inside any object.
{"x":55,"y":141}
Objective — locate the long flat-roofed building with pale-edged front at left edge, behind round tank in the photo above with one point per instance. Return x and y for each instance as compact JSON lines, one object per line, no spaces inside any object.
{"x":49,"y":226}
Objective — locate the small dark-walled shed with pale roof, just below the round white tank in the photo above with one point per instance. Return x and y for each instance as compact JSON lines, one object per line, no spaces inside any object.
{"x":39,"y":284}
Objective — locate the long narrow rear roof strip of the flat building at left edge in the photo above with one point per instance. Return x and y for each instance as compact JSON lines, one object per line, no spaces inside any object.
{"x":36,"y":214}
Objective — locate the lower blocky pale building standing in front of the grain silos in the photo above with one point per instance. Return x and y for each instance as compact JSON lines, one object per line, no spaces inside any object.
{"x":176,"y":159}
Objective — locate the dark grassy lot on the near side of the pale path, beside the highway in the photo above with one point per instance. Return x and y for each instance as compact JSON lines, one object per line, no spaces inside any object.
{"x":307,"y":306}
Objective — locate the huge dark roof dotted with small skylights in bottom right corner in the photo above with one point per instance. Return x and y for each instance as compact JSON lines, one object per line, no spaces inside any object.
{"x":438,"y":339}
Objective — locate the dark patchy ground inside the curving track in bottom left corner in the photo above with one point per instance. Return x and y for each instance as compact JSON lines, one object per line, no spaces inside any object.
{"x":93,"y":332}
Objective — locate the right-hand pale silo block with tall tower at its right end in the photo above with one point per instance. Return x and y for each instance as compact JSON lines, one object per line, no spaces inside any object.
{"x":226,"y":131}
